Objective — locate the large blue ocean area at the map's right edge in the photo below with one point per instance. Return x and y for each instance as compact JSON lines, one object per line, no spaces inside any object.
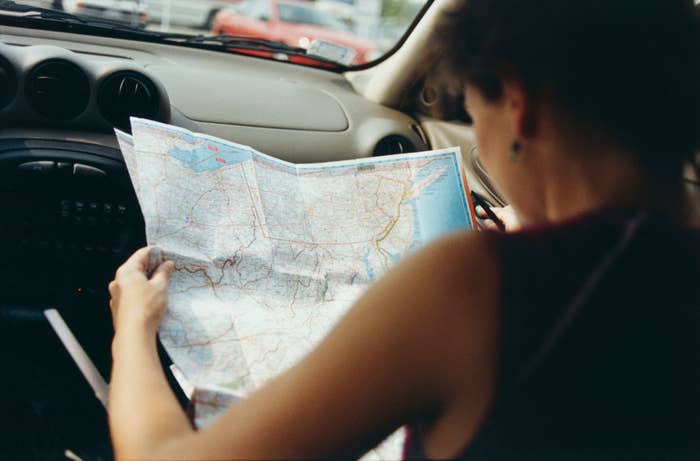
{"x":441,"y":207}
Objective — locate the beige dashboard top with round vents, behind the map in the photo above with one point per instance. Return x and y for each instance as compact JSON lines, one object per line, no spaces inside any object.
{"x":297,"y":113}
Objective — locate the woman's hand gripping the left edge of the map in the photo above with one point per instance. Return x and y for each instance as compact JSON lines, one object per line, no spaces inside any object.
{"x":137,"y":301}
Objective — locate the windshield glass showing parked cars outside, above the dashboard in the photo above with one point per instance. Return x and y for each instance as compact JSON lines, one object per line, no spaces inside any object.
{"x":355,"y":31}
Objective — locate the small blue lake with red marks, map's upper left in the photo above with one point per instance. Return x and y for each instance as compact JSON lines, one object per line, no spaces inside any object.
{"x":210,"y":156}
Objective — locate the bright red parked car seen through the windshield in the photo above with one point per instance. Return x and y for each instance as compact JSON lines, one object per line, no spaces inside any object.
{"x":292,"y":22}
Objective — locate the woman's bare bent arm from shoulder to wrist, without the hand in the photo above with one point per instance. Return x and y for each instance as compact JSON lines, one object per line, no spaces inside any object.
{"x":402,"y":354}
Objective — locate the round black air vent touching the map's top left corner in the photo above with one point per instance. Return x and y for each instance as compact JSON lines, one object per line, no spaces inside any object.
{"x":127,"y":94}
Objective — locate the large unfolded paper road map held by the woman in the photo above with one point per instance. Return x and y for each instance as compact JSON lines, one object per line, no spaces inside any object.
{"x":269,"y":254}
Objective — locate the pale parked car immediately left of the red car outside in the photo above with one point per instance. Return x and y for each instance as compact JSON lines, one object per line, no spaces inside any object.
{"x":198,"y":14}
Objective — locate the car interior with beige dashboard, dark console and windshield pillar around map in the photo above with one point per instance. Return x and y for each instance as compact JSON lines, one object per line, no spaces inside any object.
{"x":70,"y":215}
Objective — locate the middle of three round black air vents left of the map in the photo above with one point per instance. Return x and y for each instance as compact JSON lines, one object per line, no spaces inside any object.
{"x":58,"y":90}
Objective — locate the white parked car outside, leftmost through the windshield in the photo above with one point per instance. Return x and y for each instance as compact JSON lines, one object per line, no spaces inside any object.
{"x":132,"y":12}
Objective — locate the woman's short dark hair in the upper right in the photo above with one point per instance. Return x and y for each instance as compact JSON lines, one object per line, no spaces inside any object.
{"x":628,"y":68}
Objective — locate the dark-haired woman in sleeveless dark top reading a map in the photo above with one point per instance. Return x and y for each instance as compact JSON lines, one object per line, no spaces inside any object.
{"x":573,"y":337}
